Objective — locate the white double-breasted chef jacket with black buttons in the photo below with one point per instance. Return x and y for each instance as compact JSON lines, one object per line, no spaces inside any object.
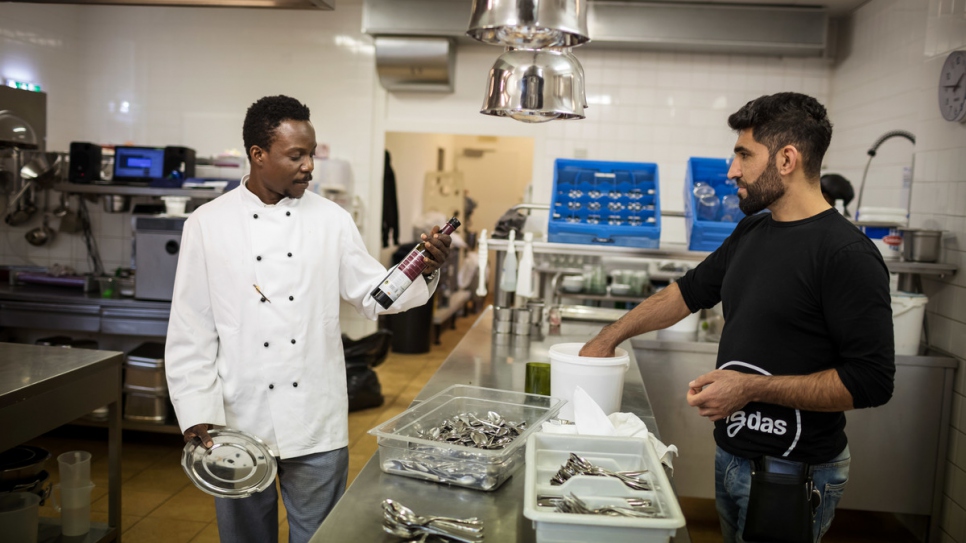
{"x":270,"y":363}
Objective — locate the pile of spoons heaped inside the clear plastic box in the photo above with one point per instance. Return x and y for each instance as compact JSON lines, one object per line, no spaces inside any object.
{"x":468,"y":429}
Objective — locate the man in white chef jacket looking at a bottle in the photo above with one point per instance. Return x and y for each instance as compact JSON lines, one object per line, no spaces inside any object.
{"x":254,"y":342}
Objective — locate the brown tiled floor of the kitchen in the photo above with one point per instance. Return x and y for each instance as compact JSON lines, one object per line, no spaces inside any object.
{"x":160,"y":505}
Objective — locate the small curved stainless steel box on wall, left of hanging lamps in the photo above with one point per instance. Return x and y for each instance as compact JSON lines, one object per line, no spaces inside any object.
{"x":415,"y":63}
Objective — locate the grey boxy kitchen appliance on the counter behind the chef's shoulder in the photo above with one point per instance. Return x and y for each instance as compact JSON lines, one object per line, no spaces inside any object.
{"x":157,"y":243}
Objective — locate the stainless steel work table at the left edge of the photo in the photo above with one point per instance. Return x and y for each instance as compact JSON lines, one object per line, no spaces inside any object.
{"x":42,"y":388}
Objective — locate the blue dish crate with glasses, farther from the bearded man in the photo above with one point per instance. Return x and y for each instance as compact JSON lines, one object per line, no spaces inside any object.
{"x":596,"y":202}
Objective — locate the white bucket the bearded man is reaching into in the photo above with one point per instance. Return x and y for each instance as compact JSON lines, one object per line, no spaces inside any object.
{"x":601,"y":378}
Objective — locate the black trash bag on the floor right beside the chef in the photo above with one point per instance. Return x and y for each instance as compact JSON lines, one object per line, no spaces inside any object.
{"x":361,"y":355}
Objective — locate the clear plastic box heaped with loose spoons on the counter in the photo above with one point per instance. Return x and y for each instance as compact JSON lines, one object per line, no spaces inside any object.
{"x":403,"y":452}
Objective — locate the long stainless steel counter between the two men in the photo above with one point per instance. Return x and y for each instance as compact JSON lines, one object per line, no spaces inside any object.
{"x":477,"y":360}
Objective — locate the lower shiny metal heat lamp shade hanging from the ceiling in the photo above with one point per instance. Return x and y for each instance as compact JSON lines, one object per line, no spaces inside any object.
{"x":535,"y":86}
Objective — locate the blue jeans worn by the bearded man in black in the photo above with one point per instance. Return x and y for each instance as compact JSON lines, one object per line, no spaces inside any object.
{"x":732,"y":481}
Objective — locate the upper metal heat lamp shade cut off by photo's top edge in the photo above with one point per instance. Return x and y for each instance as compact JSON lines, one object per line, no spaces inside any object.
{"x":533,"y":23}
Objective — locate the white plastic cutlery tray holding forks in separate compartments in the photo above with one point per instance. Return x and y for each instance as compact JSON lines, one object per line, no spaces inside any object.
{"x":546,"y":453}
